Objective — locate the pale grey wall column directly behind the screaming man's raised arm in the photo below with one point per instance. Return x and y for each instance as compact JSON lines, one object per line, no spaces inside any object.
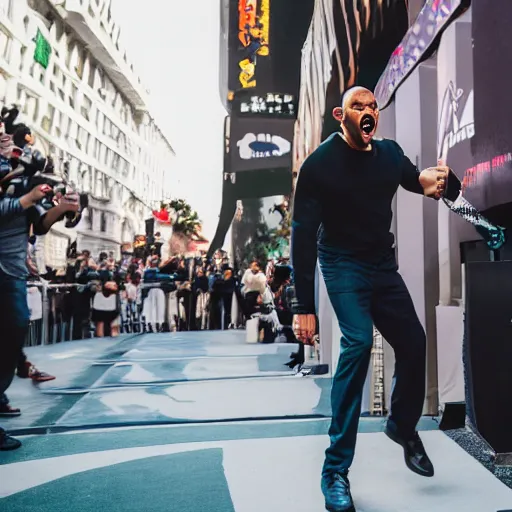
{"x":416,"y":216}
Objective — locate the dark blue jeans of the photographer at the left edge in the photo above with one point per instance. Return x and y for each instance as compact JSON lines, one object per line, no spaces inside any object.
{"x":15,"y":320}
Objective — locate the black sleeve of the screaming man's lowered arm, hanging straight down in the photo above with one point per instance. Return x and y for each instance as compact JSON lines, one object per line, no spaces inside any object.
{"x":306,"y":220}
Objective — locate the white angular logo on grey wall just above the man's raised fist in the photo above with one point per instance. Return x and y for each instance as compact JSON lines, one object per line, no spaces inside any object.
{"x":456,"y":122}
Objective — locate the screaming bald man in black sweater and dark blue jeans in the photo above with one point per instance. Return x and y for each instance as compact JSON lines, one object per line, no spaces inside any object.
{"x":342,"y":215}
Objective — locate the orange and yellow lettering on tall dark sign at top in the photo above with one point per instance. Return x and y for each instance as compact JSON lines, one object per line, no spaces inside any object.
{"x":253,"y":34}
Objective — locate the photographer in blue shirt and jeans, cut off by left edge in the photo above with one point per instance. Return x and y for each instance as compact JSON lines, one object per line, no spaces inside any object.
{"x":17,"y":215}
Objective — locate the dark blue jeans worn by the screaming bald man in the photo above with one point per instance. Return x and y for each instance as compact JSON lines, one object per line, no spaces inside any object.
{"x":367,"y":290}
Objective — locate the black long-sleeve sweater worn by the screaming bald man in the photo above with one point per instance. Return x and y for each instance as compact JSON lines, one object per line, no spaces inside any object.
{"x":343,"y":199}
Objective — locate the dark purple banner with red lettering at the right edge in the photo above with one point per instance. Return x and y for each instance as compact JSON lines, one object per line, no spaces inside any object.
{"x":489,"y":181}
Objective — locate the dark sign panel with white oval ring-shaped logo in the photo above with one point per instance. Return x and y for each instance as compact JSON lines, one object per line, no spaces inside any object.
{"x":257,"y":143}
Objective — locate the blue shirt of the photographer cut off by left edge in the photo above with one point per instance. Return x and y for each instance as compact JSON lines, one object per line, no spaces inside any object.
{"x":14,"y":232}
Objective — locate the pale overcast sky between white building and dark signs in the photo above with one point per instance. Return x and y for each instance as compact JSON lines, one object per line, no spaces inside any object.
{"x":174,"y":46}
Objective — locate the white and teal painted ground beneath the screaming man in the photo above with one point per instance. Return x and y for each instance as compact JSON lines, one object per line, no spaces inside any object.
{"x":203,"y":422}
